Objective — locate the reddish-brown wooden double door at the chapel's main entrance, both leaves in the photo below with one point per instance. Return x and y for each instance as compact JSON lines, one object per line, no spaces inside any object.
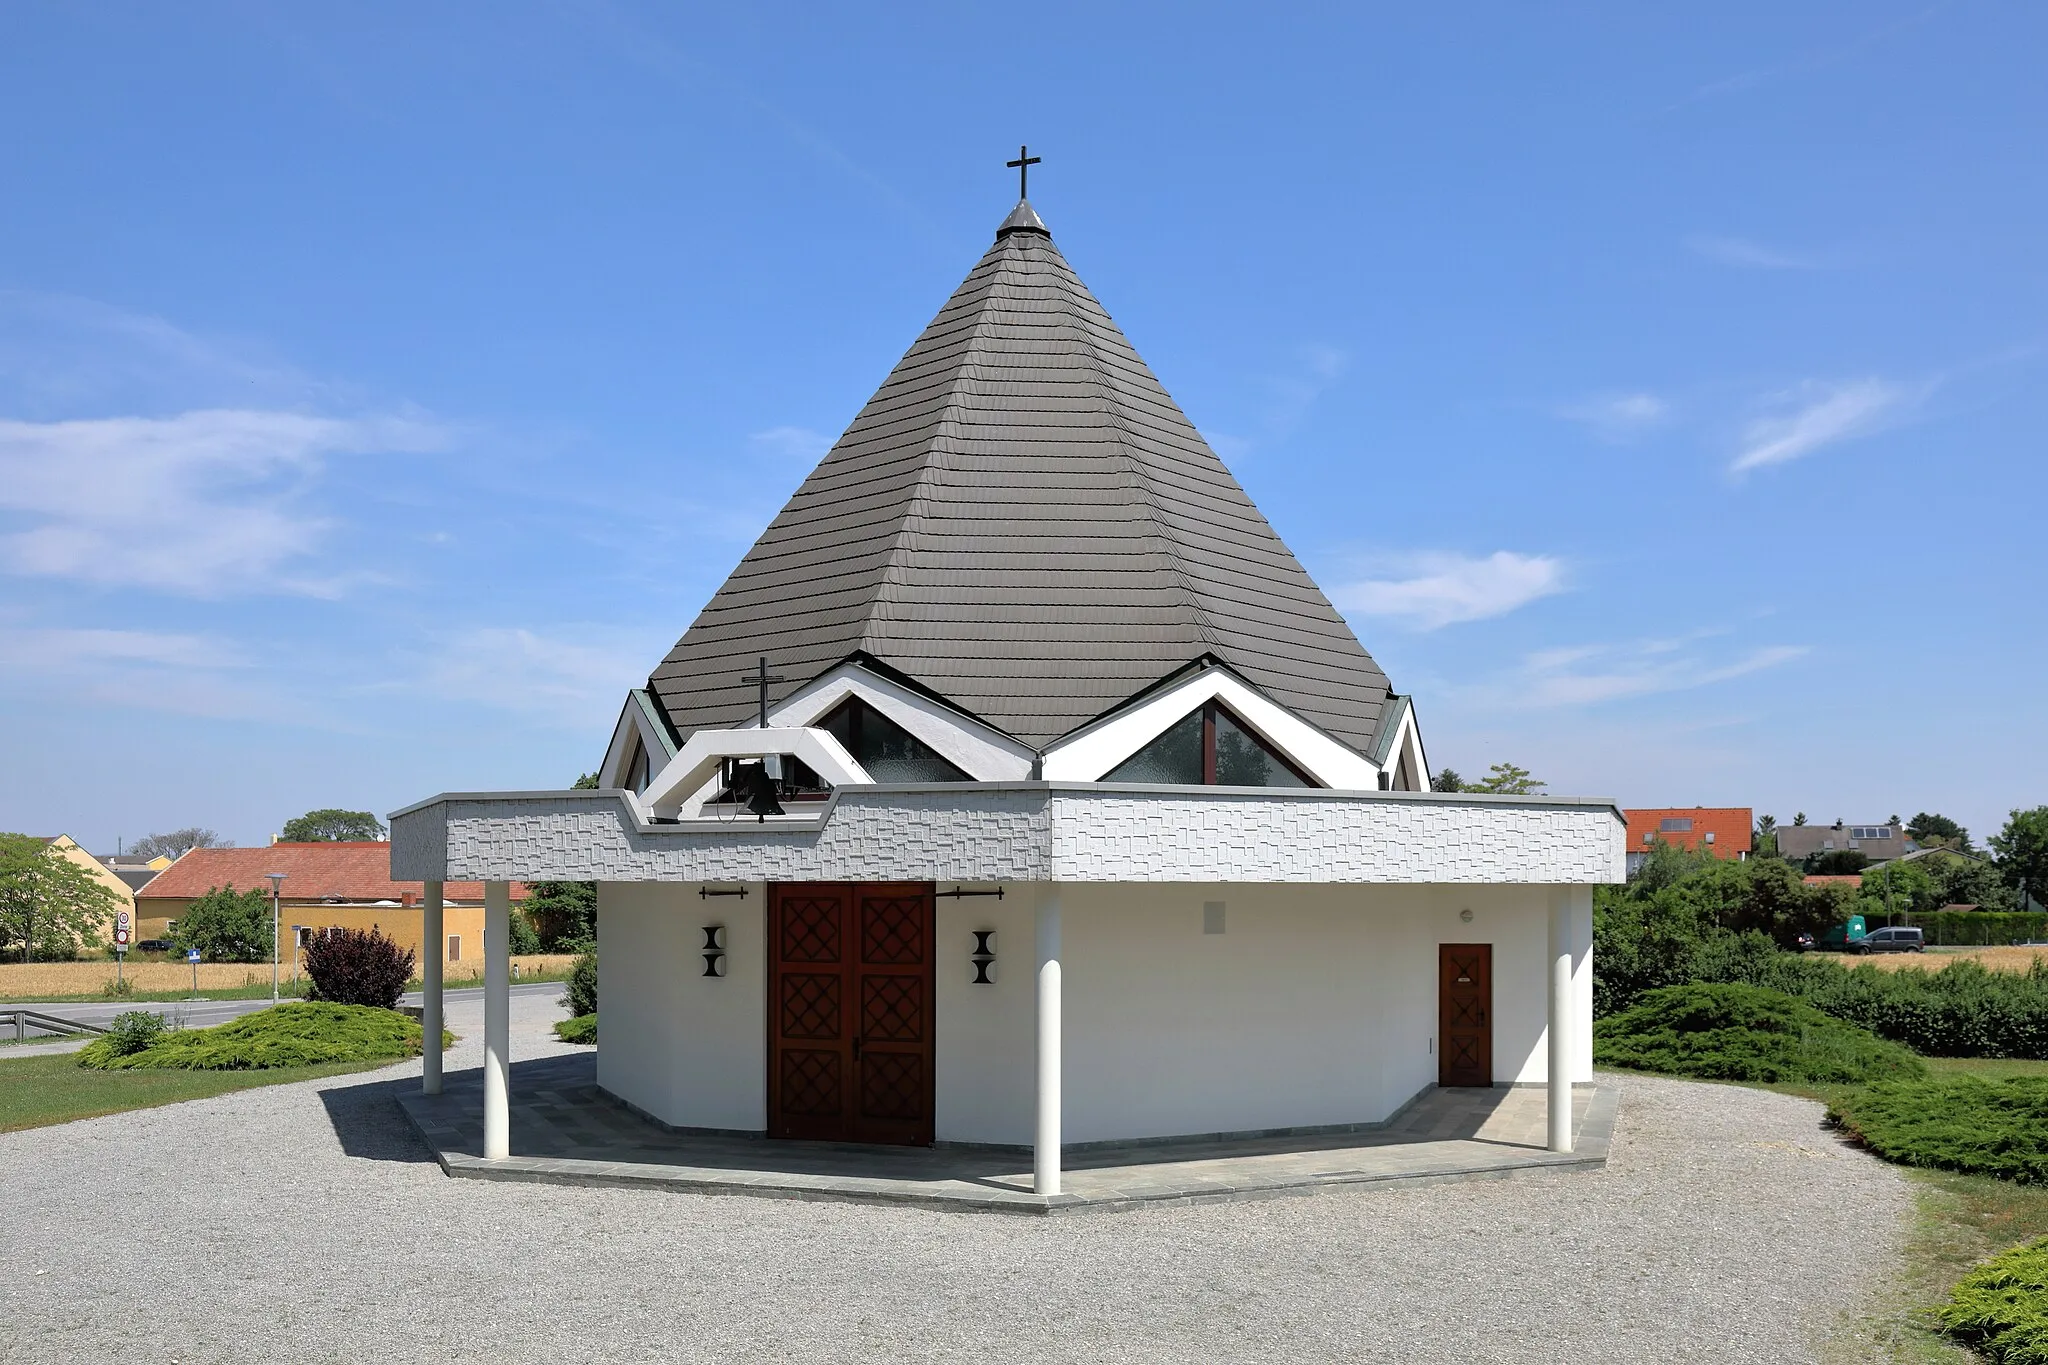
{"x":851,"y":977}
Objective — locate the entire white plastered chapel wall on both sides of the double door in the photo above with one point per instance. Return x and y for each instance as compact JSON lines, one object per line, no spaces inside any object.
{"x":1316,"y":1006}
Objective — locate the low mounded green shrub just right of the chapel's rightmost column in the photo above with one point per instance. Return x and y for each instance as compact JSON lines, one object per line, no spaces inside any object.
{"x":1732,"y":1032}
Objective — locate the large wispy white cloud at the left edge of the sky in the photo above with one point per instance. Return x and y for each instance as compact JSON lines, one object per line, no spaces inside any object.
{"x":206,"y":502}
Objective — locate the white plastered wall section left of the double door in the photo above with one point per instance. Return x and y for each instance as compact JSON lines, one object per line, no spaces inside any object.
{"x":687,"y":1049}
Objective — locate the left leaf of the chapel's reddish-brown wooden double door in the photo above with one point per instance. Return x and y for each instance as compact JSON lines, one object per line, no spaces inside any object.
{"x":810,"y":994}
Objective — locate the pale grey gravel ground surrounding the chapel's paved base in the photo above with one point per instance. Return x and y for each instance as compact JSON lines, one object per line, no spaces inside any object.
{"x":306,"y":1225}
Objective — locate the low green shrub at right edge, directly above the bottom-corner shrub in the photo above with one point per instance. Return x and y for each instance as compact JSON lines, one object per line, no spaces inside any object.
{"x":1969,"y":1125}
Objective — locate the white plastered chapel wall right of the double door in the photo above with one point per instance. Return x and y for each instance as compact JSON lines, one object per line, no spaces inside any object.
{"x":1316,"y":1006}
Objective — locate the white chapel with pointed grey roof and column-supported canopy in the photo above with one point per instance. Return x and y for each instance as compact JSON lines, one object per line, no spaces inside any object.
{"x":1023,"y":789}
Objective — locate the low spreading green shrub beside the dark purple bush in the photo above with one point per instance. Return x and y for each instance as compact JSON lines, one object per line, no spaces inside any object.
{"x":296,"y":1034}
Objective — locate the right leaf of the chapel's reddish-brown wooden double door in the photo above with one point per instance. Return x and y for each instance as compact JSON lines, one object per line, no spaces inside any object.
{"x":894,"y":985}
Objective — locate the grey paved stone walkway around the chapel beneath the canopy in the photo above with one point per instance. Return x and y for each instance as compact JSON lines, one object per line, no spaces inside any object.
{"x":568,"y":1133}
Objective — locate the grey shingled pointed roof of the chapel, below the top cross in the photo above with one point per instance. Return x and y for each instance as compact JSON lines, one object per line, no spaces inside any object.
{"x":1027,"y":525}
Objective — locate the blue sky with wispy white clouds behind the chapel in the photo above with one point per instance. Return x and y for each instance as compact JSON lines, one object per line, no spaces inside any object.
{"x":1660,"y":390}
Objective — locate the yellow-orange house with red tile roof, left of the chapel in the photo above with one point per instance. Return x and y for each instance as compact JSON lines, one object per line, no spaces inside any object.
{"x":327,"y":887}
